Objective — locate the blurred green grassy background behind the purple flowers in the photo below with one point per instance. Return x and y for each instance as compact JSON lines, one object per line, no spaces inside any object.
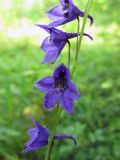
{"x":96,"y":122}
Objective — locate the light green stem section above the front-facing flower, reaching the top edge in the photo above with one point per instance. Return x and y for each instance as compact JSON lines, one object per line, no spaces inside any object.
{"x":79,"y":41}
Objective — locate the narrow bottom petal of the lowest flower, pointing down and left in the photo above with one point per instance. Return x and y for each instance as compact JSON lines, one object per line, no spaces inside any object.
{"x":34,"y":147}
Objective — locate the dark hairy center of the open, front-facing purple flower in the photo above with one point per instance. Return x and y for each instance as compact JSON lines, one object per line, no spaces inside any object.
{"x":61,"y":82}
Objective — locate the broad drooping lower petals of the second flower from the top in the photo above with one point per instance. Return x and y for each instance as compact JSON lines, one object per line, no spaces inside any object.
{"x":52,"y":49}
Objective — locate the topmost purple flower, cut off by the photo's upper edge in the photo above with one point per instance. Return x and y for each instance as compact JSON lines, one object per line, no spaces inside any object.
{"x":64,"y":13}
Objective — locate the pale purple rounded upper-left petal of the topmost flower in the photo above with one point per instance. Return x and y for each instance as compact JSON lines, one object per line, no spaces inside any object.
{"x":56,"y":13}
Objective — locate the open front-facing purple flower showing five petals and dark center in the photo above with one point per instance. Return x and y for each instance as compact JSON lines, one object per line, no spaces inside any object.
{"x":59,"y":89}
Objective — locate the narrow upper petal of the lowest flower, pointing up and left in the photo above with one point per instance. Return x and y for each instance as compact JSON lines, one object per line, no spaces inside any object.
{"x":41,"y":129}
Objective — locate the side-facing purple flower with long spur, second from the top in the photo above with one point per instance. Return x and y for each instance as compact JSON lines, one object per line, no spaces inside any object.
{"x":53,"y":44}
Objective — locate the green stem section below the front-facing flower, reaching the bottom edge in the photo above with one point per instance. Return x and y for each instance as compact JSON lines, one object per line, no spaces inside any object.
{"x":51,"y":138}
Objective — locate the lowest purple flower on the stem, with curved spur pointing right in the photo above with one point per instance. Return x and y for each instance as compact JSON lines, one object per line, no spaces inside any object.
{"x":39,"y":137}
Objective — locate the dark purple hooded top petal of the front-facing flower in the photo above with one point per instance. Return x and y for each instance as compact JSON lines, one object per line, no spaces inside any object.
{"x":61,"y":68}
